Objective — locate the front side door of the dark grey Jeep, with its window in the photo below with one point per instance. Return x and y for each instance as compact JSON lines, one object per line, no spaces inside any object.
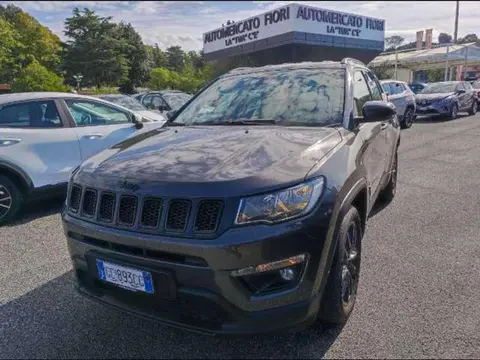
{"x":371,"y":133}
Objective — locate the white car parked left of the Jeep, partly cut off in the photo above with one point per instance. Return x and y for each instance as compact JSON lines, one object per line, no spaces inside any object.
{"x":45,"y":136}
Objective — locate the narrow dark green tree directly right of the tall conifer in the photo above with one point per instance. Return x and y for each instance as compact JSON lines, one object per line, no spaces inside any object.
{"x":136,"y":56}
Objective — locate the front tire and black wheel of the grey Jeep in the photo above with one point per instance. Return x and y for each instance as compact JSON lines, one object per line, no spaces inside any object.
{"x":341,"y":290}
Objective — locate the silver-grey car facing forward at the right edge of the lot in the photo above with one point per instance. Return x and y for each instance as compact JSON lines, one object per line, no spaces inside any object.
{"x":447,"y":98}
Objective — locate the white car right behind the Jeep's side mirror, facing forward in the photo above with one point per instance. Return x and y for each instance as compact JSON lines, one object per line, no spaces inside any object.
{"x":403,"y":98}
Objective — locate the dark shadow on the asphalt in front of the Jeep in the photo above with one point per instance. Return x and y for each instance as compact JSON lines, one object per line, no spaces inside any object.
{"x":54,"y":321}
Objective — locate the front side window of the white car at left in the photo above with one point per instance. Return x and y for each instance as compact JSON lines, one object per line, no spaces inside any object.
{"x":88,"y":113}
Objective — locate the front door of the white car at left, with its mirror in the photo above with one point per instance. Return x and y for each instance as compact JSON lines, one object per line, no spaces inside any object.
{"x":99,"y":126}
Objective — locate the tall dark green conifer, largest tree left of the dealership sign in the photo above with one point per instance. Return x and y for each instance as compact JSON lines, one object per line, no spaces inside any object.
{"x":95,"y":49}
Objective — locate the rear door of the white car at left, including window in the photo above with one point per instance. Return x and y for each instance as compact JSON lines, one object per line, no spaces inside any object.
{"x":36,"y":136}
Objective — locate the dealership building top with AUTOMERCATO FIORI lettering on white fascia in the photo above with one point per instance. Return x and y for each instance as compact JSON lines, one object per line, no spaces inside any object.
{"x":295,"y":33}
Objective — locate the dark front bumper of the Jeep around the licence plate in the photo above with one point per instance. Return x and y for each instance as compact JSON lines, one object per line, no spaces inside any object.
{"x":195,"y":288}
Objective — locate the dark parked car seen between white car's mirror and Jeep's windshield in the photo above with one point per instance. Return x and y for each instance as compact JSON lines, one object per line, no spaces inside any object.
{"x":163,"y":101}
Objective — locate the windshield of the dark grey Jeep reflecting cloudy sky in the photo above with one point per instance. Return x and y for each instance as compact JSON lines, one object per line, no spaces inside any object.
{"x":293,"y":97}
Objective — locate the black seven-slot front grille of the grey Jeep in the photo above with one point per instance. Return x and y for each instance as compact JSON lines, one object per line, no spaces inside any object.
{"x":146,"y":213}
